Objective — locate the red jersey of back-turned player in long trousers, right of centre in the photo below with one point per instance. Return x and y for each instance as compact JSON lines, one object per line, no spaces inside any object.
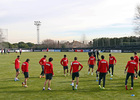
{"x":103,"y":66}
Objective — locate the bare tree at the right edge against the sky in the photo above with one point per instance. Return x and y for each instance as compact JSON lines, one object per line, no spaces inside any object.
{"x":137,"y":20}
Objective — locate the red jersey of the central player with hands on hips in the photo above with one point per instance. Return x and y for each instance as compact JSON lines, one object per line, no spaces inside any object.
{"x":75,"y":66}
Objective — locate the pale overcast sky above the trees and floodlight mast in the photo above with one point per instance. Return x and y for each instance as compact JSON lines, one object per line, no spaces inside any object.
{"x":67,"y":19}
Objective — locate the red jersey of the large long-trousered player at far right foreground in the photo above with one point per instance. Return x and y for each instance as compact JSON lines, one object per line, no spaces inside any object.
{"x":132,"y":66}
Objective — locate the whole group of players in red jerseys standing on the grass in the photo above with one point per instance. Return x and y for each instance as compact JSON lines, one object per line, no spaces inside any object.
{"x":103,"y":68}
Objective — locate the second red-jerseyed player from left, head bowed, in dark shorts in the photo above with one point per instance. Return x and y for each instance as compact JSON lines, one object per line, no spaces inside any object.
{"x":25,"y":71}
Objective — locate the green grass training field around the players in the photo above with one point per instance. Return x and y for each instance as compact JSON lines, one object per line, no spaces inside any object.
{"x":61,"y":88}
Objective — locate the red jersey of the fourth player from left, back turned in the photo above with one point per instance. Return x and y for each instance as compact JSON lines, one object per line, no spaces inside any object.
{"x":48,"y":68}
